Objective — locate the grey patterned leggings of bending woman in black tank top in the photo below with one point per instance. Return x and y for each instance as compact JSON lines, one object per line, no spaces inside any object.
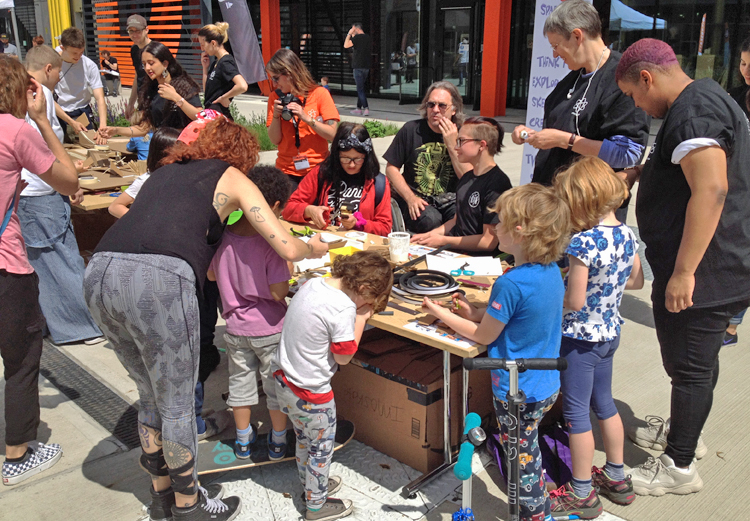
{"x":147,"y":307}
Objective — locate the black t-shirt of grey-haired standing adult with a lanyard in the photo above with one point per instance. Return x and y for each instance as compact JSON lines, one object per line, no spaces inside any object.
{"x":603,"y":113}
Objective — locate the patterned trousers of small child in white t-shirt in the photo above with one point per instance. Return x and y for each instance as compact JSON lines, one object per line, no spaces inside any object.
{"x":315,"y":427}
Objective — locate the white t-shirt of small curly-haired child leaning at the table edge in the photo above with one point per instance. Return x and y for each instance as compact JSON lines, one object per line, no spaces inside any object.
{"x":318,"y":316}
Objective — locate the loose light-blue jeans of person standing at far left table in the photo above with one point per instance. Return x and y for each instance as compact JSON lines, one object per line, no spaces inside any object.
{"x":53,"y":253}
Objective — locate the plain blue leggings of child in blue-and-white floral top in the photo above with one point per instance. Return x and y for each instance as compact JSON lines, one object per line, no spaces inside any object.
{"x":587,"y":381}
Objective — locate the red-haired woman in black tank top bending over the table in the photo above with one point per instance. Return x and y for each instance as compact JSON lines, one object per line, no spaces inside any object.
{"x":134,"y":288}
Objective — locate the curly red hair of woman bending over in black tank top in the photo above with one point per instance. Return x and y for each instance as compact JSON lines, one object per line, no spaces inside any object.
{"x":219,"y":139}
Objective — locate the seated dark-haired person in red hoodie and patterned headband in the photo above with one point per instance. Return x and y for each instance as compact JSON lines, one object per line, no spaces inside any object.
{"x":348,"y":185}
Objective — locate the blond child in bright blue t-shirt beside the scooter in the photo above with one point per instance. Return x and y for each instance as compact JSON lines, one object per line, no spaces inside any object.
{"x":522,"y":320}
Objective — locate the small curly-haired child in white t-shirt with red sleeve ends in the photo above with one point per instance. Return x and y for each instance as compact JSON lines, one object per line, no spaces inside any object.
{"x":322,"y":328}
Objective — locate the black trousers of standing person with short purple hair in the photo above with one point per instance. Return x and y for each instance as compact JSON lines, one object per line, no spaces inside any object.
{"x":690,"y":342}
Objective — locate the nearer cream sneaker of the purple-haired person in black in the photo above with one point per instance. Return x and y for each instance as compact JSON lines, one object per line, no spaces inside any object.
{"x":659,"y":476}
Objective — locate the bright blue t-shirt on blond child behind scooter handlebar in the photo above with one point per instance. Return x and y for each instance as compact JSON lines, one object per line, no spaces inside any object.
{"x":528,"y":300}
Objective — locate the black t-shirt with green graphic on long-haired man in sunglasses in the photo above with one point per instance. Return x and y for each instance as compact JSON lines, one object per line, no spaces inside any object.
{"x":427,"y":166}
